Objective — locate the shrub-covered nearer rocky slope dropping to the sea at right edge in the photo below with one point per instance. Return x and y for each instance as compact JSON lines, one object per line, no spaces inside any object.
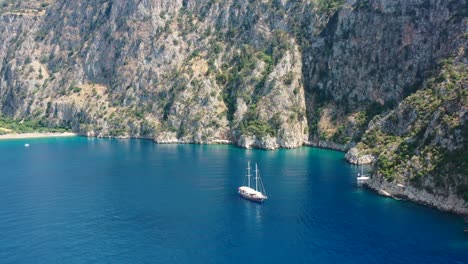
{"x":421,"y":147}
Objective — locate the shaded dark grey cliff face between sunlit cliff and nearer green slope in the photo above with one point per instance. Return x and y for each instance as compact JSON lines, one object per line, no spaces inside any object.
{"x":371,"y":55}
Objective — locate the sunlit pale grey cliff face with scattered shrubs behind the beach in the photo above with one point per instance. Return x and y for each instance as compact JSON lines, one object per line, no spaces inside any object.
{"x":175,"y":71}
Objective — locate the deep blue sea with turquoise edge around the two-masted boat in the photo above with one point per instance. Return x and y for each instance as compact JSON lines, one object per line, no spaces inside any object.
{"x":87,"y":200}
